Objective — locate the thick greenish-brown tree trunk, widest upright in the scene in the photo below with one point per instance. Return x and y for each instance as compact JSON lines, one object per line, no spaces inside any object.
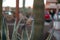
{"x":39,"y":19}
